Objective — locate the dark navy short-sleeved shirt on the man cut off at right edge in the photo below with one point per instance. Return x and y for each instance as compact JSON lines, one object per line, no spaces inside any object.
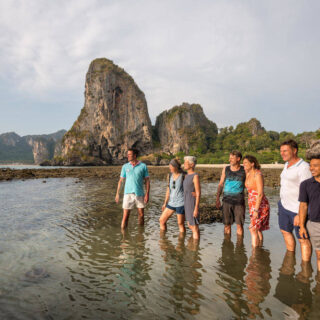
{"x":310,"y":193}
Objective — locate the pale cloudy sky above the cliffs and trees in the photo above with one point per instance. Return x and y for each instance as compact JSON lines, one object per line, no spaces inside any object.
{"x":238,"y":59}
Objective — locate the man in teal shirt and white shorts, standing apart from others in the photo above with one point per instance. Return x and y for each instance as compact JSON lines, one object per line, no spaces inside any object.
{"x":135,"y":173}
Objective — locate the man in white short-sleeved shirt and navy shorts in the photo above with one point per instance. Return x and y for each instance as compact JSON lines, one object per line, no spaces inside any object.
{"x":295,"y":171}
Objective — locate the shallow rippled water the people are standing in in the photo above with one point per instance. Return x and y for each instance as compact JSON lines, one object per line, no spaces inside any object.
{"x":63,"y":256}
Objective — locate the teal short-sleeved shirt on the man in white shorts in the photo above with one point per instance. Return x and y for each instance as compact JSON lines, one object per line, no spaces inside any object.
{"x":134,"y":177}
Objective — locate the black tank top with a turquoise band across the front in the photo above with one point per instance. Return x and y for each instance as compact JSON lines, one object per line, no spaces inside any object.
{"x":233,"y":191}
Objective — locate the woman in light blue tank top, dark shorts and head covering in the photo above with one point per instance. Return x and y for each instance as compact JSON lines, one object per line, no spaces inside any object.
{"x":174,"y":200}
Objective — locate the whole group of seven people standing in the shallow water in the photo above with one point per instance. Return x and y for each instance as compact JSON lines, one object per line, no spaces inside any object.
{"x":298,"y":208}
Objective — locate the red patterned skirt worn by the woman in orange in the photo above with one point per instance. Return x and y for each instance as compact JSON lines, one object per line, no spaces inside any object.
{"x":260,"y":223}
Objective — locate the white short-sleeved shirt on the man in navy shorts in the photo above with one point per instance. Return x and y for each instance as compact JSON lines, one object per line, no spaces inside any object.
{"x":291,"y":179}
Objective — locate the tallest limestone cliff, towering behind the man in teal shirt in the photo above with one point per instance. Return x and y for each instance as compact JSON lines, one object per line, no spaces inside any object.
{"x":114,"y":118}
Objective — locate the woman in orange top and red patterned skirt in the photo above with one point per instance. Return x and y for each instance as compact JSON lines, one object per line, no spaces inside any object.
{"x":259,"y":208}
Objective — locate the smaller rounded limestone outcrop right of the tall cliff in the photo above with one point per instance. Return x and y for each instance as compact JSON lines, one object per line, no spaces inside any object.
{"x":185,"y":128}
